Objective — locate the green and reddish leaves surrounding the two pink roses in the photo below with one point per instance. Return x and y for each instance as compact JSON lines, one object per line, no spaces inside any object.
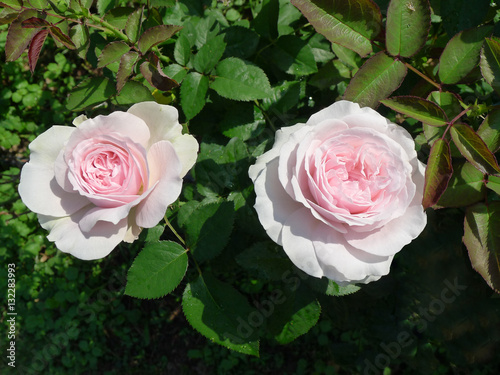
{"x":238,"y":71}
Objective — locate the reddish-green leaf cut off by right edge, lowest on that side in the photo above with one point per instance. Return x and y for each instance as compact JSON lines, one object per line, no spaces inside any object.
{"x":482,"y":239}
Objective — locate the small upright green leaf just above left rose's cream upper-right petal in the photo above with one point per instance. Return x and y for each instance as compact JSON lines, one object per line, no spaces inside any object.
{"x":193,"y":94}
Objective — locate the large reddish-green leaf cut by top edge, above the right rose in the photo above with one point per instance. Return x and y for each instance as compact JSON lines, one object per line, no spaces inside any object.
{"x":350,"y":23}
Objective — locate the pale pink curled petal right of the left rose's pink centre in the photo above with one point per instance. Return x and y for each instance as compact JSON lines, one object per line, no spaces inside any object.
{"x":164,"y":175}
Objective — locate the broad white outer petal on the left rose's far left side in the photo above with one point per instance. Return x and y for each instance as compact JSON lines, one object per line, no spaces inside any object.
{"x":38,"y":188}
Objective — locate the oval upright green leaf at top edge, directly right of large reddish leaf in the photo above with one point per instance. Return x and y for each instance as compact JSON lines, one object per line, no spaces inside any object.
{"x":407,"y":26}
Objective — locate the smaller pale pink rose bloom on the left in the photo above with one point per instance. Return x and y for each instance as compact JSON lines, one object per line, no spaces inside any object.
{"x":99,"y":183}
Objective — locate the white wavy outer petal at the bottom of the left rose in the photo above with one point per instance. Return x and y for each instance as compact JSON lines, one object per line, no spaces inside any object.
{"x":68,"y":237}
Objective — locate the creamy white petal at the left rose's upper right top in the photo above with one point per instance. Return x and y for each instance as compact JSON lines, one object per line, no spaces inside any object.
{"x":162,"y":120}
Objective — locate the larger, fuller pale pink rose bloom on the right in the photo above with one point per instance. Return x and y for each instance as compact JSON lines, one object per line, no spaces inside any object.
{"x":341,"y":193}
